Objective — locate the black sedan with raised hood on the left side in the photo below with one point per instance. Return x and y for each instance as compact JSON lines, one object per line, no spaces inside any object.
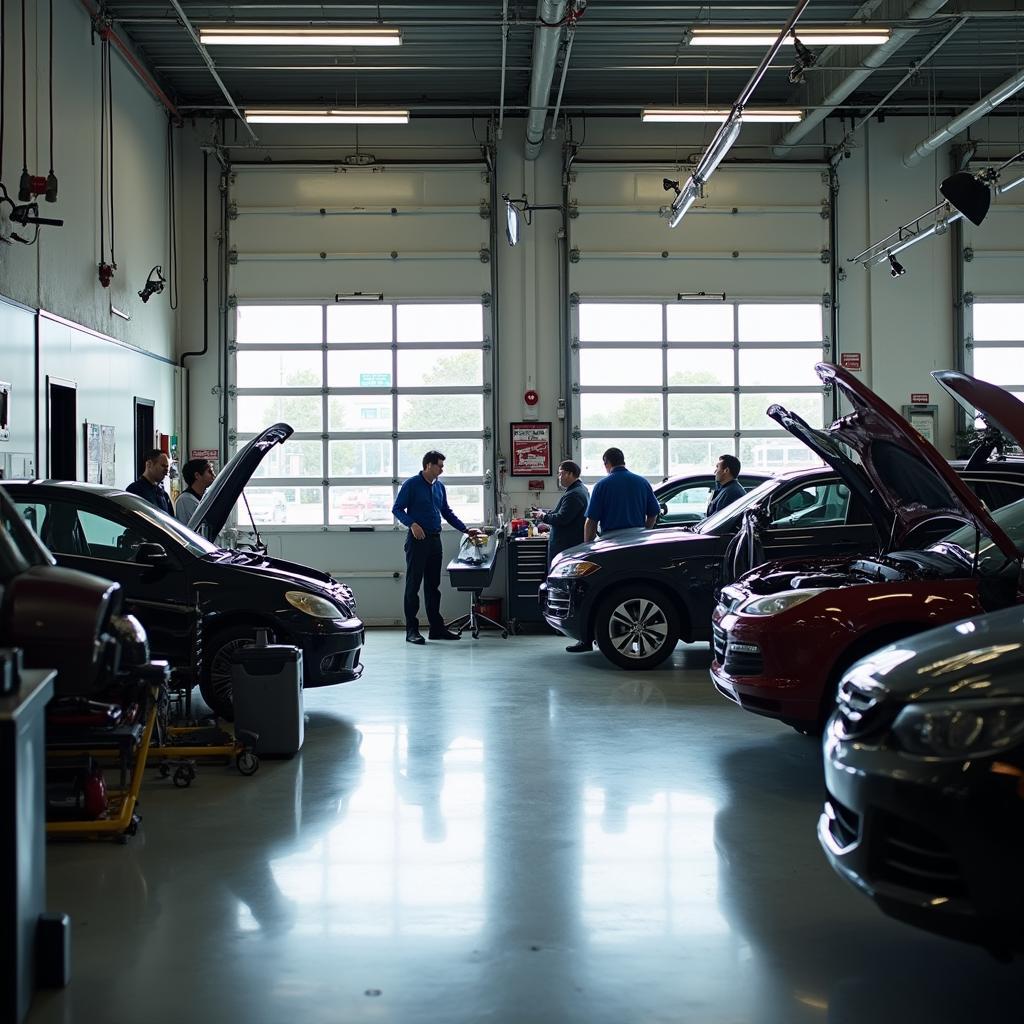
{"x":199,"y":603}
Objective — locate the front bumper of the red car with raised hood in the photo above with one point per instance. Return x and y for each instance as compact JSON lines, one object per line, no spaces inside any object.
{"x":742,"y":671}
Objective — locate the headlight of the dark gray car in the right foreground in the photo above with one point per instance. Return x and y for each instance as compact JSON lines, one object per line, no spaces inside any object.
{"x":960,"y":730}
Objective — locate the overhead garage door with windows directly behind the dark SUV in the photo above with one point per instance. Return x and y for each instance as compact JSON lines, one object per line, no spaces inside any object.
{"x":676,"y":378}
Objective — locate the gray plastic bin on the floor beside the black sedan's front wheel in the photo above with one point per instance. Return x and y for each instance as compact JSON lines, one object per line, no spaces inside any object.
{"x":267,"y":688}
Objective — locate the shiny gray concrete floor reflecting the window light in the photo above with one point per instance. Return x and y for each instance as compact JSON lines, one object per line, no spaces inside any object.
{"x":497,"y":831}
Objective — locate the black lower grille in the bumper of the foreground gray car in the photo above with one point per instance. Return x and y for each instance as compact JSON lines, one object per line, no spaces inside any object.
{"x":908,"y":855}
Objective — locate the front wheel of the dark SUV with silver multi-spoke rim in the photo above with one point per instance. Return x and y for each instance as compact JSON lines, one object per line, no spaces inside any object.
{"x":637,"y":628}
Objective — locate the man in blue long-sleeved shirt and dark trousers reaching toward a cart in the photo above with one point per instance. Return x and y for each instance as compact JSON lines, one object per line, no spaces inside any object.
{"x":421,"y":503}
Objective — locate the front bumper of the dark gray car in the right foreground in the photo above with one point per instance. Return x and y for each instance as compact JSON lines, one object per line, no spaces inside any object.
{"x":937,"y":845}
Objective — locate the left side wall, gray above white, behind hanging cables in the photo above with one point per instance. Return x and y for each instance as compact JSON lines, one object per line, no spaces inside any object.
{"x":59,"y":274}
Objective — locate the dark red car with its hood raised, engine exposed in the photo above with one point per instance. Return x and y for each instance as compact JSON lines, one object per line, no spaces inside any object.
{"x":785,"y":633}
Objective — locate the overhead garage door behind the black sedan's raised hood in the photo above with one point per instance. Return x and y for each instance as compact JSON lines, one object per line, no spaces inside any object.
{"x":362,"y":317}
